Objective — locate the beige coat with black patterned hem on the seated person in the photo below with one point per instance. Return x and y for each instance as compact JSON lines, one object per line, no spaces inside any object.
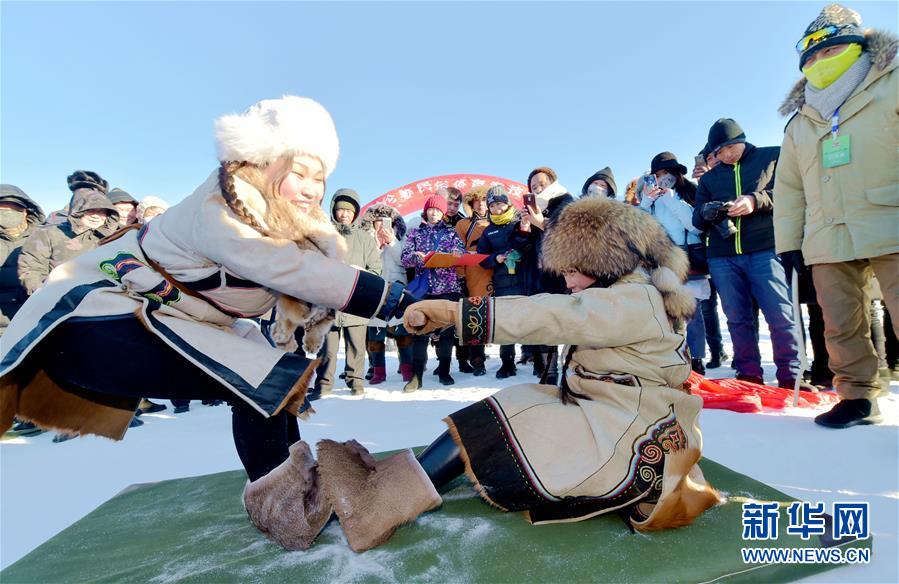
{"x":630,"y":363}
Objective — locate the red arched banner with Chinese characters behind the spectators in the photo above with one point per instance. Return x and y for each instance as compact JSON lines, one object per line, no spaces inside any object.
{"x":410,"y":198}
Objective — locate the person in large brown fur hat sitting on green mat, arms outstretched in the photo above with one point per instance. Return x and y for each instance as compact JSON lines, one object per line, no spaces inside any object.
{"x":618,"y":434}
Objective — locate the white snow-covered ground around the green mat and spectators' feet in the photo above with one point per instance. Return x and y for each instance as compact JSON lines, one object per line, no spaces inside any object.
{"x":45,"y":487}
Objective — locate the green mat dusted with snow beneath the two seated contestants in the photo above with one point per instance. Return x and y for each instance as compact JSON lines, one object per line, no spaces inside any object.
{"x":195,"y":530}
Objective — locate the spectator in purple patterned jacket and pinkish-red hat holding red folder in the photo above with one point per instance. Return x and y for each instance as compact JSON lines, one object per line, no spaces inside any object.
{"x":442,"y":283}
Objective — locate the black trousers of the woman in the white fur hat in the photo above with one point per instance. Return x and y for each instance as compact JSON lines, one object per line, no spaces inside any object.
{"x":121,"y":357}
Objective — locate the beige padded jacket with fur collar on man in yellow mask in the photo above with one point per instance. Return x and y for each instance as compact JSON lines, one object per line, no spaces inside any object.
{"x":848,"y":212}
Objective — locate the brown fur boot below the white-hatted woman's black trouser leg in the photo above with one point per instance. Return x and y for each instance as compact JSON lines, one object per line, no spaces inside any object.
{"x":287,"y":504}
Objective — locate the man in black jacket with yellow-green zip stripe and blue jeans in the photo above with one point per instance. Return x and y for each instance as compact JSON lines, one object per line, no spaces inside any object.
{"x":734,"y":206}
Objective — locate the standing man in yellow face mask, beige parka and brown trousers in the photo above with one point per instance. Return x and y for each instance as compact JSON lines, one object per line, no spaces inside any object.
{"x":837,"y":190}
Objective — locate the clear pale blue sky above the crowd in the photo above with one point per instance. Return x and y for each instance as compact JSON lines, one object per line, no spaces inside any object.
{"x":416,"y":89}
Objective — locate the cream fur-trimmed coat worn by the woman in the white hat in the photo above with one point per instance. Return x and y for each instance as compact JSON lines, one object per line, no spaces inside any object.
{"x":232,"y":269}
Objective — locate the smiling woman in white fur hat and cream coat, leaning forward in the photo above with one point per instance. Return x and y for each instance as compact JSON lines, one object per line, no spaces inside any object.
{"x":176,"y":294}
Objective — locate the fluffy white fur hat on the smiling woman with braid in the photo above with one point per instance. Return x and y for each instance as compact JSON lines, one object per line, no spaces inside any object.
{"x":274,"y":127}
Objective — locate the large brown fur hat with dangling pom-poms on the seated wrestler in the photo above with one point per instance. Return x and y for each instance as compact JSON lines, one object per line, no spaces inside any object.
{"x":608,"y":239}
